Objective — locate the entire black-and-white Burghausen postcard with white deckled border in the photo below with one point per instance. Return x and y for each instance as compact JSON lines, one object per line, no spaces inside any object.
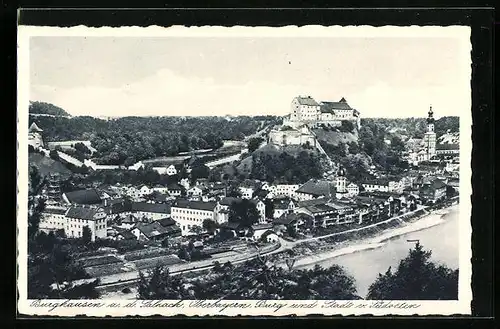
{"x":251,"y":171}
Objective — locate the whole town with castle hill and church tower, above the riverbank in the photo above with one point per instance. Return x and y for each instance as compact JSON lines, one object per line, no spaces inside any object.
{"x":198,"y":210}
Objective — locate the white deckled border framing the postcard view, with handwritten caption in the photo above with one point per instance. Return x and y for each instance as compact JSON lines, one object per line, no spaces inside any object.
{"x":462,"y":306}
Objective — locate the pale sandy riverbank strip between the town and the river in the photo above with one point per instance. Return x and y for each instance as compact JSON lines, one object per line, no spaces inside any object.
{"x":321,"y":251}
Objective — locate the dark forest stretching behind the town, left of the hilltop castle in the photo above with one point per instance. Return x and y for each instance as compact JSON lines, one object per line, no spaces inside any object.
{"x":127,"y":140}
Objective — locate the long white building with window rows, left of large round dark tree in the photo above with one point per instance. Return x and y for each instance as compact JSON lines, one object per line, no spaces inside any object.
{"x":192,"y":213}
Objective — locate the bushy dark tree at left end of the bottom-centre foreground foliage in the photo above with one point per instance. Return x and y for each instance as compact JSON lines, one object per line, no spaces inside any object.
{"x":158,"y":284}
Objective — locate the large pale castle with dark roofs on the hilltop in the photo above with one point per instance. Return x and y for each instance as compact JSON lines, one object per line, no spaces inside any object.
{"x":306,"y":110}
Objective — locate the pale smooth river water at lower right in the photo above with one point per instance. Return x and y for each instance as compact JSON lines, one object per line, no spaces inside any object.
{"x":365,"y":265}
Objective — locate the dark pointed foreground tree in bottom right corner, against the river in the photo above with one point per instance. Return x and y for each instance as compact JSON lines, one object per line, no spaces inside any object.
{"x":416,"y":278}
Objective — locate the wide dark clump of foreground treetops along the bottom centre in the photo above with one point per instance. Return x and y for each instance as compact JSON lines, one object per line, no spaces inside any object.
{"x":256,"y":279}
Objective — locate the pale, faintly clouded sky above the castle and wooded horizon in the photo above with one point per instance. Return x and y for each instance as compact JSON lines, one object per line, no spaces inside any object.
{"x":142,"y":76}
